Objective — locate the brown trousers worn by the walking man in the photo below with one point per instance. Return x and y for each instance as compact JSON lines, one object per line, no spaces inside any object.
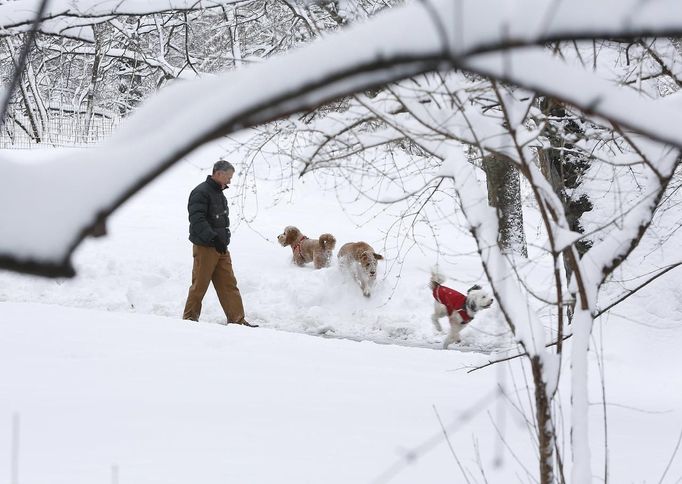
{"x":211,"y":266}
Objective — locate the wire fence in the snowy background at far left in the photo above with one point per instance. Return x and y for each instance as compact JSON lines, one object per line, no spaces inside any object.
{"x":56,"y":128}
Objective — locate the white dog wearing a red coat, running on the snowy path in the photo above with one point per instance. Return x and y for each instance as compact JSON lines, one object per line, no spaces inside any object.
{"x":459,"y":308}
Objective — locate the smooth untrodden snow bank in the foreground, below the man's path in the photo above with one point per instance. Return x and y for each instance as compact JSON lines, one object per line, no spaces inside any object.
{"x":113,"y":397}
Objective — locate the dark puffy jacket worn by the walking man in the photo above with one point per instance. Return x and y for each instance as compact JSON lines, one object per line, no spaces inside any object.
{"x":209,"y":215}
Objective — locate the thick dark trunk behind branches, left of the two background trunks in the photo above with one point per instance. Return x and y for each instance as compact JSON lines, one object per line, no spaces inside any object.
{"x":504,"y":193}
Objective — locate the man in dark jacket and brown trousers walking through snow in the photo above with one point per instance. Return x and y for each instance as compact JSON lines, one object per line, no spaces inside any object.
{"x":209,"y":232}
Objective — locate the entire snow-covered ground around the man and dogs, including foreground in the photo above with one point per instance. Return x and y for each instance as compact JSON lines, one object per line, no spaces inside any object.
{"x":110,"y":385}
